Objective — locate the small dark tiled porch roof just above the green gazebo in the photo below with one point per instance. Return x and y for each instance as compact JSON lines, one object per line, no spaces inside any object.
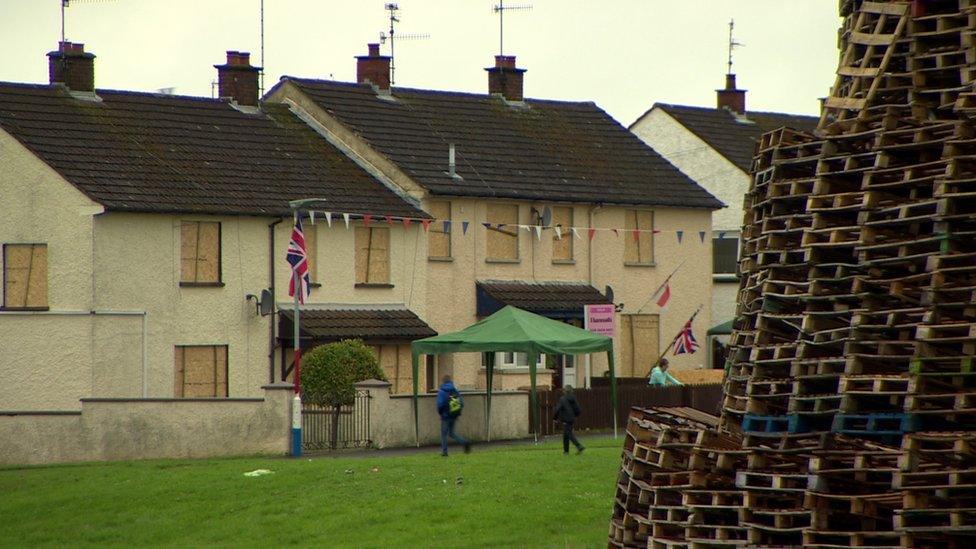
{"x":555,"y":299}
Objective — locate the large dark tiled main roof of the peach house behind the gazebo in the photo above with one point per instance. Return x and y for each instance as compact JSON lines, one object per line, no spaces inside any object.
{"x":536,"y":150}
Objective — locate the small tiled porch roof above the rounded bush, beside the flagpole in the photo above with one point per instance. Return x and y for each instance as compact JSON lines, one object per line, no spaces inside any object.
{"x":324,"y":325}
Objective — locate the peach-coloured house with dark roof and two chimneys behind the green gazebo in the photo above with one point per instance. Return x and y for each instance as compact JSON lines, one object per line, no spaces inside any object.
{"x":535,"y":203}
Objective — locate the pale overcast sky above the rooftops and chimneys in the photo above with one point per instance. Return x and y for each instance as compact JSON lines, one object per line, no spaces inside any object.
{"x":622,"y":54}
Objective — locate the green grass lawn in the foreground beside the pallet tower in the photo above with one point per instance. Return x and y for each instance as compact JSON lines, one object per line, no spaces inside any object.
{"x":521,"y":495}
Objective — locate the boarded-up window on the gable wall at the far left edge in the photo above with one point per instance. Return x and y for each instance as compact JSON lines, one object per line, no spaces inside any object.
{"x":25,"y":276}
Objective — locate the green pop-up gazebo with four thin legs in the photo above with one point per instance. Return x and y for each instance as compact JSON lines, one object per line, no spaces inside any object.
{"x":514,"y":330}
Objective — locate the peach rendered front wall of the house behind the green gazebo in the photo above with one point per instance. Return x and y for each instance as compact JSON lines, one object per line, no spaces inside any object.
{"x":600,"y":262}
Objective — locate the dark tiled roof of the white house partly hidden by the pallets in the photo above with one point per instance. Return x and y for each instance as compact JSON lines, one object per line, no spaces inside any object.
{"x":733,"y":137}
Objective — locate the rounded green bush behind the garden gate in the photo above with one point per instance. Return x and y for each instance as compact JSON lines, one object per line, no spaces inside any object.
{"x":330,"y":372}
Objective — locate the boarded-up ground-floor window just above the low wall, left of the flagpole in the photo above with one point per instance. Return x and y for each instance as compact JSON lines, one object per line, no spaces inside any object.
{"x":200,"y":371}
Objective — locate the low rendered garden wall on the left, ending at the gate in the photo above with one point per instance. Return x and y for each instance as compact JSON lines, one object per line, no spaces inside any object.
{"x":121,"y":429}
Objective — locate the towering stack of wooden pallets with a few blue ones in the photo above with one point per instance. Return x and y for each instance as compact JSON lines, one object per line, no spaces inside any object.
{"x":849,"y":415}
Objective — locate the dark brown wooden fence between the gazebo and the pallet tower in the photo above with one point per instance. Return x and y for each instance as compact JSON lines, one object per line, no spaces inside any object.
{"x":595,"y":403}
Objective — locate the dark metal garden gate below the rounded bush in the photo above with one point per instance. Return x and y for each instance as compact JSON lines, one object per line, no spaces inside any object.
{"x":352,"y":431}
